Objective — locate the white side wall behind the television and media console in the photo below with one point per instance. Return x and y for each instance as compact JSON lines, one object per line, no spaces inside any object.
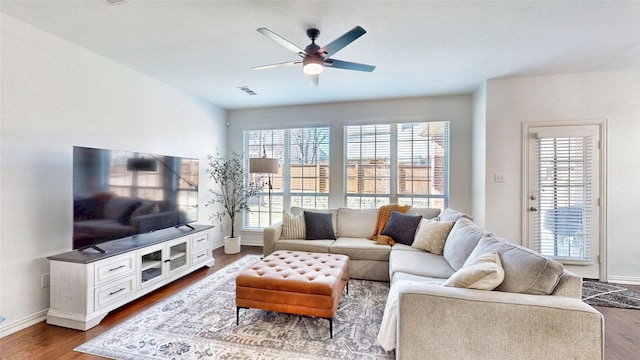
{"x":56,"y":95}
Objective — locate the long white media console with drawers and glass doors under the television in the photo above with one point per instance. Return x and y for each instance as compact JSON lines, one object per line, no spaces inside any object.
{"x":86,"y":285}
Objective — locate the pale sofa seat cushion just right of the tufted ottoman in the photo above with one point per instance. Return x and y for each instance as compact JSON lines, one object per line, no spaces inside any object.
{"x":419,"y":263}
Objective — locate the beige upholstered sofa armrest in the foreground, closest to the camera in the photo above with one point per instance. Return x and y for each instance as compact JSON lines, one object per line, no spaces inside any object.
{"x":453,"y":323}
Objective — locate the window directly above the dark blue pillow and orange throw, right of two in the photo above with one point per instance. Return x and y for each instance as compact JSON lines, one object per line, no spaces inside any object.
{"x":404,"y":163}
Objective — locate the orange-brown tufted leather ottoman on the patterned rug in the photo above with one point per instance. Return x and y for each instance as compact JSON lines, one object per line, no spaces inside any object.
{"x":294,"y":282}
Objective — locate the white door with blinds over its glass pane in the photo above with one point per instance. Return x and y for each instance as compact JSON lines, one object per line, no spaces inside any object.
{"x":562,"y":214}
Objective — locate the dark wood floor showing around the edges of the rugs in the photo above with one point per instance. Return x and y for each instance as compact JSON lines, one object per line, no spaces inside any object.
{"x":42,"y":341}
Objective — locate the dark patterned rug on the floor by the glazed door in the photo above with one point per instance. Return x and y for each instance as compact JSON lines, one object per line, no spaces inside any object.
{"x":610,"y":295}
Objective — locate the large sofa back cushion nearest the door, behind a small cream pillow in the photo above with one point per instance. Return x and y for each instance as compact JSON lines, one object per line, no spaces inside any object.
{"x":525,"y":271}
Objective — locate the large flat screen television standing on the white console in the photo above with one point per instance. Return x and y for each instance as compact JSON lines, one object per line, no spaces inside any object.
{"x":118,"y":194}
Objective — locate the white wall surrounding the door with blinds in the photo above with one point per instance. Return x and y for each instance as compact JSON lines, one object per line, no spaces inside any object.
{"x":611,"y":95}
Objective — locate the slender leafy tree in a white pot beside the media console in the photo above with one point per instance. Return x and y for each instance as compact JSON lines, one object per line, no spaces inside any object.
{"x":233,"y":193}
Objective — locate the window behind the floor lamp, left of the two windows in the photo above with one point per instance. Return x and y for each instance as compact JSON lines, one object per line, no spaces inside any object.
{"x":303,"y":171}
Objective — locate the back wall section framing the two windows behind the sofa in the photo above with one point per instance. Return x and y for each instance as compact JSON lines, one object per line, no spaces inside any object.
{"x":456,"y":109}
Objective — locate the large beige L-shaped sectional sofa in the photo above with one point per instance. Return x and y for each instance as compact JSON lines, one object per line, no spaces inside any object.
{"x":536,"y":312}
